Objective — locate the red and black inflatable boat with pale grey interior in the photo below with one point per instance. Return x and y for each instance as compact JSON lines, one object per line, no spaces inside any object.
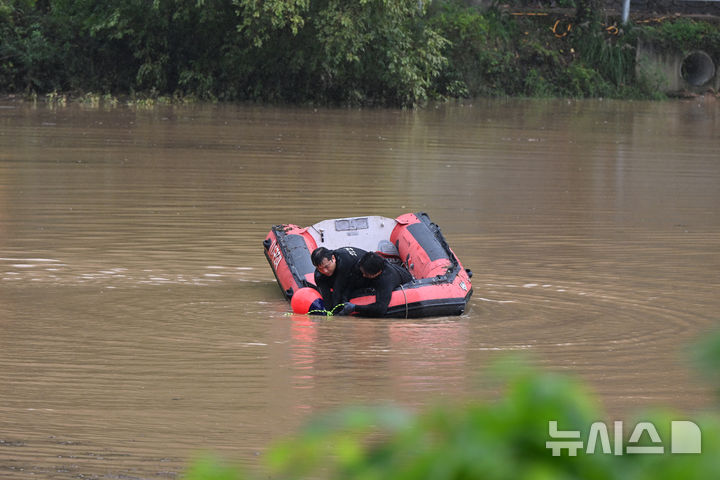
{"x":440,"y":285}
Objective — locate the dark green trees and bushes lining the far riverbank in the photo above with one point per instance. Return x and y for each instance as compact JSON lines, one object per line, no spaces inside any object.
{"x":369,"y":52}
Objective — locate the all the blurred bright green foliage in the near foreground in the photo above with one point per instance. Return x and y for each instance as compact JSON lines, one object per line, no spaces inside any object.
{"x":500,"y":440}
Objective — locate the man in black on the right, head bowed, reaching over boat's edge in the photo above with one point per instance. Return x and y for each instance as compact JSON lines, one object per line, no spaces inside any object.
{"x":383,"y":277}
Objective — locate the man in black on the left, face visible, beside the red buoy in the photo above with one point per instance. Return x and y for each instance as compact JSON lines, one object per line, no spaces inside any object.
{"x":336,"y":273}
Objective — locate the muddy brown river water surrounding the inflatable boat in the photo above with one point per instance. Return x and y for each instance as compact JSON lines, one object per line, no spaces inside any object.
{"x":140,"y":322}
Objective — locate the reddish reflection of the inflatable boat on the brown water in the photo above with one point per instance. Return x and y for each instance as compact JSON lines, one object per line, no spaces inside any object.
{"x":408,"y":362}
